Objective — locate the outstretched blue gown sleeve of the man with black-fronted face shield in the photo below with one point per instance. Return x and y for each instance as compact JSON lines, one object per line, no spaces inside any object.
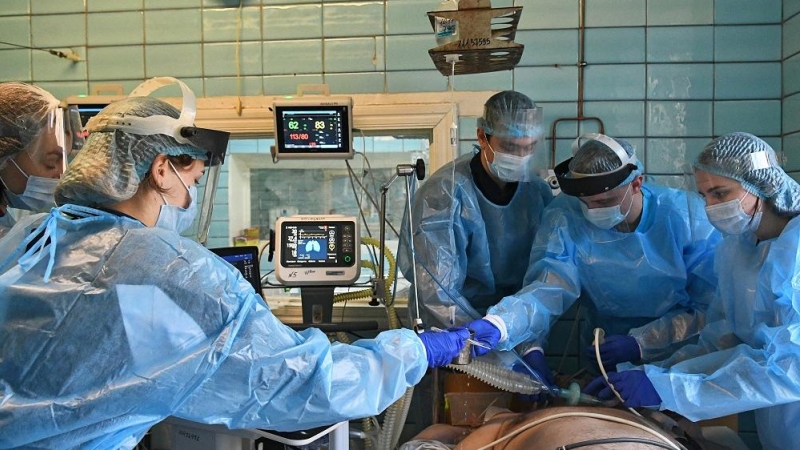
{"x":551,"y":284}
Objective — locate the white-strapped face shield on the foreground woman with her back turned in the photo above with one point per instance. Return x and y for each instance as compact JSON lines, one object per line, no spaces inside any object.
{"x":183,"y":130}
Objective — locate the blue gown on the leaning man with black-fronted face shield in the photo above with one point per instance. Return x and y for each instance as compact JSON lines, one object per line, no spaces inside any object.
{"x":653,"y":283}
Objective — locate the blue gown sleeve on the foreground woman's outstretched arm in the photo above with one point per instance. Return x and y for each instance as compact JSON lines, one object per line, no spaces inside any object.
{"x":277,"y":379}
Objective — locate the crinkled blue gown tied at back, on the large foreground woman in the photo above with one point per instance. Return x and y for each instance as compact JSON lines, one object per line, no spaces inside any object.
{"x":136,"y":324}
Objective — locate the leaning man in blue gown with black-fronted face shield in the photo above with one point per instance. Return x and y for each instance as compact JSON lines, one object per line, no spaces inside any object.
{"x":641,"y":256}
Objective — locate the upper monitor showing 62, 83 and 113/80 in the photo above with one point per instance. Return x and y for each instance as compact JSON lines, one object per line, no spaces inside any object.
{"x":321,"y":130}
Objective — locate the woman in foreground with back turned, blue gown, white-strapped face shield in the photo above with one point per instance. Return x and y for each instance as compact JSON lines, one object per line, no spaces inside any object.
{"x":111,"y":321}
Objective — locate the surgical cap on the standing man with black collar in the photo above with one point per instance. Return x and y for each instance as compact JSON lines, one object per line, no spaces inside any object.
{"x":510,"y":114}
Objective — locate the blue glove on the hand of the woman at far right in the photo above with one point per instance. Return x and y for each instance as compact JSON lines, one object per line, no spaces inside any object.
{"x":633,"y":386}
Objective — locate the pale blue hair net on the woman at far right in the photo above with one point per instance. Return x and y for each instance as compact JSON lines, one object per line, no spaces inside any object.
{"x":752,"y":162}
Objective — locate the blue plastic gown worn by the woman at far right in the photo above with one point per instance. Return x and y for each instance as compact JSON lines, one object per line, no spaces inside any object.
{"x":748,"y":356}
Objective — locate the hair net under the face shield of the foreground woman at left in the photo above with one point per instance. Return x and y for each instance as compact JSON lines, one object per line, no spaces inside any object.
{"x":112,"y":164}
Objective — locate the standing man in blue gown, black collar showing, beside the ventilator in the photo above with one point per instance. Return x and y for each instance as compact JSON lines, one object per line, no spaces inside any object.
{"x":475,"y":218}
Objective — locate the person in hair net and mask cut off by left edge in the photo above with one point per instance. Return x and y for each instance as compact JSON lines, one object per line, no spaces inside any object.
{"x":33,"y":149}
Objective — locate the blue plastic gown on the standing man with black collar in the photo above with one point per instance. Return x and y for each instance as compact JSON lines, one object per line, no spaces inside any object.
{"x":475,"y":249}
